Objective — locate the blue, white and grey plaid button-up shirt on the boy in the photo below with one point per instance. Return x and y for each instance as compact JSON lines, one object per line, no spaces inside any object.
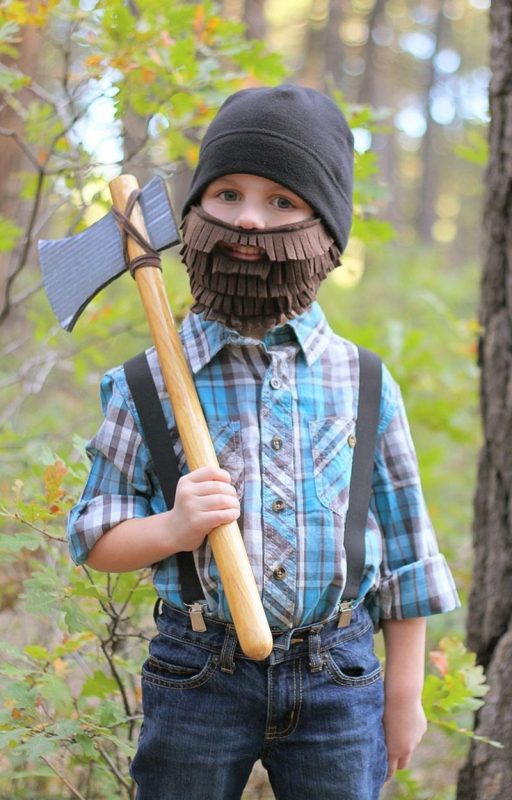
{"x":281,"y":413}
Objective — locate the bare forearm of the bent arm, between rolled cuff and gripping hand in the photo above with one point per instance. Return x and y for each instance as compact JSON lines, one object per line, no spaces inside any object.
{"x":134,"y":544}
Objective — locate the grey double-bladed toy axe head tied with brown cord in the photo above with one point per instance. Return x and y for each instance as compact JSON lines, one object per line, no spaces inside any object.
{"x":77,"y":267}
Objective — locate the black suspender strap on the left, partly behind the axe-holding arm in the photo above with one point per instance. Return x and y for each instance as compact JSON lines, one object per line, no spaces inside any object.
{"x":142,"y":387}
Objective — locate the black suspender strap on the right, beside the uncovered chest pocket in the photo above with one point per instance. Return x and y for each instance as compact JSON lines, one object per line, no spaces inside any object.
{"x":368,"y":410}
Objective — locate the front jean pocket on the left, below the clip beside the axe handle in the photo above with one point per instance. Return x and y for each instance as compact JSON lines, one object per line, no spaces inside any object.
{"x":177,"y":665}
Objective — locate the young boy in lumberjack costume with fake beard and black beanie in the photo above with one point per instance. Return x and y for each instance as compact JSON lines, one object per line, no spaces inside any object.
{"x":267,"y":216}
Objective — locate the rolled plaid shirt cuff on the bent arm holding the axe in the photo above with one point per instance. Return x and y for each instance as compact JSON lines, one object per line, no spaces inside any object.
{"x":90,"y":519}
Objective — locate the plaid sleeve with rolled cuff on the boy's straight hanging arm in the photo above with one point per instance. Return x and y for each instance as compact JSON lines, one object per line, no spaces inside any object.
{"x":415,"y":579}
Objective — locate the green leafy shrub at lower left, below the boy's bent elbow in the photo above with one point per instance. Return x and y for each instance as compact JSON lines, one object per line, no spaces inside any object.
{"x":71,"y":697}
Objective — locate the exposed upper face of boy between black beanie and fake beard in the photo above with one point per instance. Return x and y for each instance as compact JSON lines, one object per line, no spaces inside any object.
{"x":251,"y":202}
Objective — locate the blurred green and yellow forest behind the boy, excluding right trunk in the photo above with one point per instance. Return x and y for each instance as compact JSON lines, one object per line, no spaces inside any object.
{"x":89,"y":86}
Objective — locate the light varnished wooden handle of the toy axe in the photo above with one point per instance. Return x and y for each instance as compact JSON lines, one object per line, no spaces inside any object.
{"x":226,"y":541}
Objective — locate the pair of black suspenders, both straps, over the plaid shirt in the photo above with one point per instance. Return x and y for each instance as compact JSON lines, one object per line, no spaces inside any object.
{"x":143,"y":390}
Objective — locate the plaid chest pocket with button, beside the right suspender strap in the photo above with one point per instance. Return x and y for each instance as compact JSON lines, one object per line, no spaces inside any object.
{"x":332,"y":443}
